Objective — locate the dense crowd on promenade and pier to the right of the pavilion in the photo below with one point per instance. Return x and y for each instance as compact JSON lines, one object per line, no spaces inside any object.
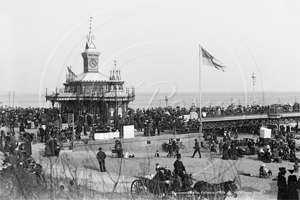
{"x":153,"y":120}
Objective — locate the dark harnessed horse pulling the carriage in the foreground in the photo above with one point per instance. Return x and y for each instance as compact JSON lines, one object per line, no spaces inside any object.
{"x":215,"y":191}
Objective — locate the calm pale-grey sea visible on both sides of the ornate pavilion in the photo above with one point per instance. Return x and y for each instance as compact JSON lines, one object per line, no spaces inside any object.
{"x":162,"y":99}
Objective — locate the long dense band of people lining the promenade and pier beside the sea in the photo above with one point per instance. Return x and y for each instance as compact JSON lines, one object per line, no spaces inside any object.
{"x":152,"y":120}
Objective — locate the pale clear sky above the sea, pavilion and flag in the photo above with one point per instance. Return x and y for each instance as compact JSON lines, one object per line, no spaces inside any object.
{"x":155,"y":43}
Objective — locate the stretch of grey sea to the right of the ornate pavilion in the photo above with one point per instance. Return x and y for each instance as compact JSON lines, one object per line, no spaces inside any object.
{"x":213,"y":99}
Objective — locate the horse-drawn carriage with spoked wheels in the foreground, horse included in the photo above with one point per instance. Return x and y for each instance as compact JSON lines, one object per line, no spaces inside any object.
{"x":145,"y":187}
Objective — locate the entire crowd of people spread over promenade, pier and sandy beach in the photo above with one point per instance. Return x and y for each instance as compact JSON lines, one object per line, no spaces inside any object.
{"x":48,"y":122}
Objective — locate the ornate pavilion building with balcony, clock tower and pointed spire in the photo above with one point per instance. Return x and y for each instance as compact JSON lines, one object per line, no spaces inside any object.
{"x":93,"y":92}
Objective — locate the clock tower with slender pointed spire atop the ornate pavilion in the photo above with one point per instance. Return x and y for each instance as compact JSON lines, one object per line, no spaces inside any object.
{"x":90,"y":55}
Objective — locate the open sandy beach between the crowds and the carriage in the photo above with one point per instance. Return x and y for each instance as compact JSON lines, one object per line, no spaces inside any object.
{"x":210,"y":168}
